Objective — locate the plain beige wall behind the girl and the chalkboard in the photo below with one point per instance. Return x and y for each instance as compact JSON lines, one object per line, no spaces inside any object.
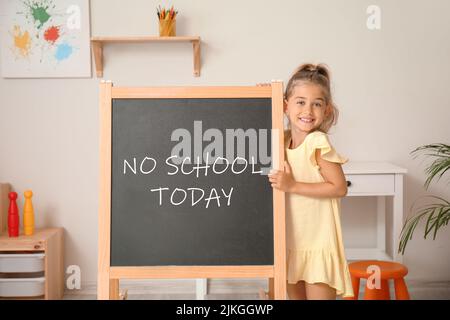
{"x":391,"y":87}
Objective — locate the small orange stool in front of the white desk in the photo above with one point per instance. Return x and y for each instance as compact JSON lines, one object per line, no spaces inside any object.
{"x":388,"y":270}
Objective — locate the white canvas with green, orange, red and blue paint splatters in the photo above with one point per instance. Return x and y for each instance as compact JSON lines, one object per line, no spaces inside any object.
{"x":45,"y":38}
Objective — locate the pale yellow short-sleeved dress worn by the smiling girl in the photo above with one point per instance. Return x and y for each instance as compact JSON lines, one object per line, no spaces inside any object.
{"x":315,"y":250}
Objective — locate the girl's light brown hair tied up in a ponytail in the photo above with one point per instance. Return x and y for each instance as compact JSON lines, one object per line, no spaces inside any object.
{"x":320,"y":75}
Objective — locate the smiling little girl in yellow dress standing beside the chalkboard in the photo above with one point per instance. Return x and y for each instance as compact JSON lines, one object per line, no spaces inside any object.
{"x":313,"y":181}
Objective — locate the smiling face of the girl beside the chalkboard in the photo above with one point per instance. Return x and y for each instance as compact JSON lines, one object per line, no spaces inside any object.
{"x":306,"y":108}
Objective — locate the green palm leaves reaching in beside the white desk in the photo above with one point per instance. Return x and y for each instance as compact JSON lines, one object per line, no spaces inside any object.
{"x":437,"y":210}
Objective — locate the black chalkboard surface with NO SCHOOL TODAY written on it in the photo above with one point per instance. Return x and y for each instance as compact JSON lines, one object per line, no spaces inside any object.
{"x":156,"y":228}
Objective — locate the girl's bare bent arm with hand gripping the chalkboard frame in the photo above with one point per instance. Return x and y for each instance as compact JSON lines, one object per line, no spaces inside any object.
{"x":335,"y":185}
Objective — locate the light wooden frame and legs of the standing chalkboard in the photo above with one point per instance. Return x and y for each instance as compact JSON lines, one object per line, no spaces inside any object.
{"x":109,"y":276}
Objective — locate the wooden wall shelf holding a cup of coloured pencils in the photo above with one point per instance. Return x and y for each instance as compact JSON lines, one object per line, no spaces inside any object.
{"x":99,"y":42}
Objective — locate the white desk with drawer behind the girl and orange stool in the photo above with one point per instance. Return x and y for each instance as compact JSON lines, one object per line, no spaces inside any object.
{"x":380,"y":180}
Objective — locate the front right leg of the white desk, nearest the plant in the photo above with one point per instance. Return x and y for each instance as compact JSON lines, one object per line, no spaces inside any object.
{"x":397,"y":217}
